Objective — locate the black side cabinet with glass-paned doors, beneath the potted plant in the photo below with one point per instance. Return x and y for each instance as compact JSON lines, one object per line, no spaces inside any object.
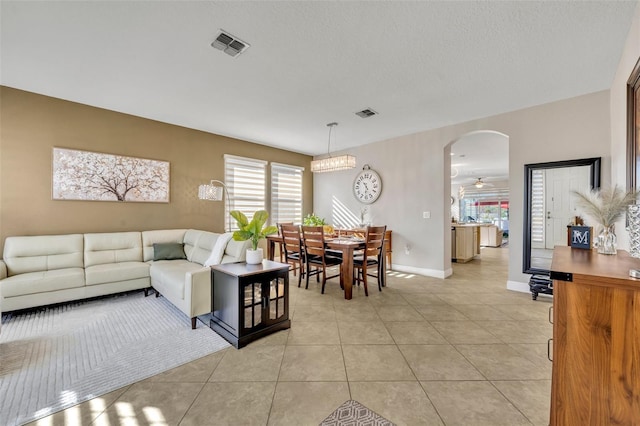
{"x":249,"y":301}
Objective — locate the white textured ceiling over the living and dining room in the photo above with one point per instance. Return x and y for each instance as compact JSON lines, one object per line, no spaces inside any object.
{"x":420,"y":64}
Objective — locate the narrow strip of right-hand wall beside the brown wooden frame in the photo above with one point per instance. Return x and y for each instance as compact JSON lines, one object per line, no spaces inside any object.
{"x":630,"y":56}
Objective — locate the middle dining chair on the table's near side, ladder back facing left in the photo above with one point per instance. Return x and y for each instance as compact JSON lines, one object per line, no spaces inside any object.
{"x":316,"y":257}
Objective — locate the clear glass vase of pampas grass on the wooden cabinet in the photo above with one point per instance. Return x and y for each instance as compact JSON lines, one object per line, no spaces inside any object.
{"x":605,"y":207}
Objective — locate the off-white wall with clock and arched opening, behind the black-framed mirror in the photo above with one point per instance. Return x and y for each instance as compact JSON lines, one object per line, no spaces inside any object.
{"x":416,"y":176}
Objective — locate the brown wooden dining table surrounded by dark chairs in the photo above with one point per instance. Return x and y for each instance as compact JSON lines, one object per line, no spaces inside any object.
{"x":347,"y":245}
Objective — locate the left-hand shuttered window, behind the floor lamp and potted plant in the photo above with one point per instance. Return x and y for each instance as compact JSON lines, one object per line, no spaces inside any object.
{"x":246,"y":181}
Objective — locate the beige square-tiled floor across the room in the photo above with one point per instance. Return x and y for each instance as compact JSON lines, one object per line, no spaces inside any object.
{"x":424,"y":351}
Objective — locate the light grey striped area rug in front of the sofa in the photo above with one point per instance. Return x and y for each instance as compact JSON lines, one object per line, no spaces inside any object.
{"x":56,"y":358}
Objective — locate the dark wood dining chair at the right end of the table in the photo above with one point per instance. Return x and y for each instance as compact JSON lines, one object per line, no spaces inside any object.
{"x":371,"y":258}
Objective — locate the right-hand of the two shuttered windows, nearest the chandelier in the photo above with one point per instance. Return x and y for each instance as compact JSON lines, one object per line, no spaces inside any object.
{"x":286,"y":193}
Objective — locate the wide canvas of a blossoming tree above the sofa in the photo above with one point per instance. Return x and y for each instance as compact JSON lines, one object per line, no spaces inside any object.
{"x":84,"y":175}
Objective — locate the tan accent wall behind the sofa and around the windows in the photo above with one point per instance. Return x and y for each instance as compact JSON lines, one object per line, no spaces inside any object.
{"x":32,"y":124}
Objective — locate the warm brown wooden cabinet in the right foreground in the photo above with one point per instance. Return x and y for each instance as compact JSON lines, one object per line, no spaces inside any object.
{"x":596,"y":339}
